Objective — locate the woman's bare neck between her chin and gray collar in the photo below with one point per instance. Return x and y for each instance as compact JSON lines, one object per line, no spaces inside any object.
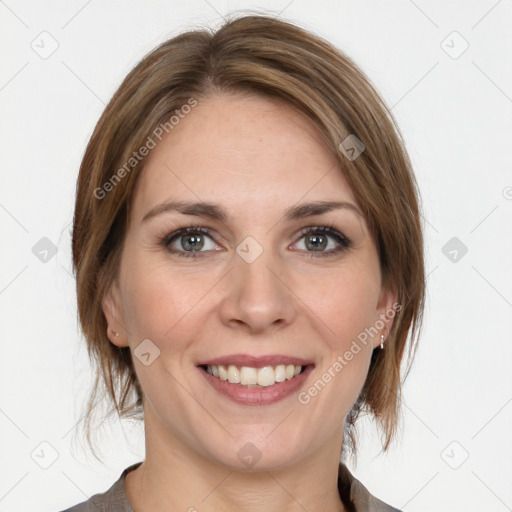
{"x":174,"y":477}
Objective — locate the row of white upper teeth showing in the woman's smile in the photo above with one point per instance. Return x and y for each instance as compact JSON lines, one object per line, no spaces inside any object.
{"x":254,"y":377}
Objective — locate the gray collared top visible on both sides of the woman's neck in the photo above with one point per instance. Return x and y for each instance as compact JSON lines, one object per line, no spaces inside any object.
{"x":353,"y":493}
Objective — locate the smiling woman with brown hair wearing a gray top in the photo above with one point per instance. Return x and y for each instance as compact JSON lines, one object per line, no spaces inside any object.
{"x":249,"y":261}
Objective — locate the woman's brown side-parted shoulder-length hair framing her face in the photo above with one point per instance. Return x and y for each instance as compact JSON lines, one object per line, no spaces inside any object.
{"x":257,"y":55}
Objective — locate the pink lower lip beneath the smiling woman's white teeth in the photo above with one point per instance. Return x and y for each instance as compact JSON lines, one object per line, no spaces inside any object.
{"x":257,"y":396}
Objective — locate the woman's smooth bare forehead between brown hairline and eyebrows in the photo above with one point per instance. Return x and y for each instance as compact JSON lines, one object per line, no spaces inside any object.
{"x":241,"y":150}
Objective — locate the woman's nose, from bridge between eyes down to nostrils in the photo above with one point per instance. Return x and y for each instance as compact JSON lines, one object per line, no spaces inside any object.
{"x":258,"y":297}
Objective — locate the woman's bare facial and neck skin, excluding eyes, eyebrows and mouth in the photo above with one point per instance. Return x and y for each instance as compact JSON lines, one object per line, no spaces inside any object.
{"x":256,"y":157}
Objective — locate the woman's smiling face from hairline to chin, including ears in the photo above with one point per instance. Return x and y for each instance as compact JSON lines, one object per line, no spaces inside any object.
{"x":253,"y":285}
